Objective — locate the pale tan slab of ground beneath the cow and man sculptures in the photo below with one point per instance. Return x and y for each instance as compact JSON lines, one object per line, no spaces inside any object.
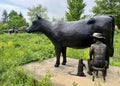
{"x":61,"y":76}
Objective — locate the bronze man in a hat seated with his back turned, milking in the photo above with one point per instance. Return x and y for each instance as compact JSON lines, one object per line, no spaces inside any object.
{"x":97,"y":53}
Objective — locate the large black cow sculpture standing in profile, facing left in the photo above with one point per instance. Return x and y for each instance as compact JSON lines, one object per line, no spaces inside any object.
{"x":75,"y":34}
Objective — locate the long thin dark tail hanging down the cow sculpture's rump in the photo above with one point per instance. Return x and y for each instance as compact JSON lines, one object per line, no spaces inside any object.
{"x":112,"y":32}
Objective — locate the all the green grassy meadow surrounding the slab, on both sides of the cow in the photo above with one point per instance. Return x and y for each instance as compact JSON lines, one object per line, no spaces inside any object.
{"x":19,"y":49}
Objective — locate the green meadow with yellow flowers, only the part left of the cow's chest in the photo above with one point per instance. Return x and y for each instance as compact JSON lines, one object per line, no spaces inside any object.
{"x":19,"y":49}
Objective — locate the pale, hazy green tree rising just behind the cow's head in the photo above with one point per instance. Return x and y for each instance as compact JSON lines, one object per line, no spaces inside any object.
{"x":37,"y":10}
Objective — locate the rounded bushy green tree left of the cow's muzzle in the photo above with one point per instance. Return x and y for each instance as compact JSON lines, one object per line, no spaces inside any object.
{"x":17,"y":21}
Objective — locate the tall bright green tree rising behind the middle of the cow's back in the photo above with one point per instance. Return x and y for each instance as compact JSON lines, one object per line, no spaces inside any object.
{"x":75,"y":9}
